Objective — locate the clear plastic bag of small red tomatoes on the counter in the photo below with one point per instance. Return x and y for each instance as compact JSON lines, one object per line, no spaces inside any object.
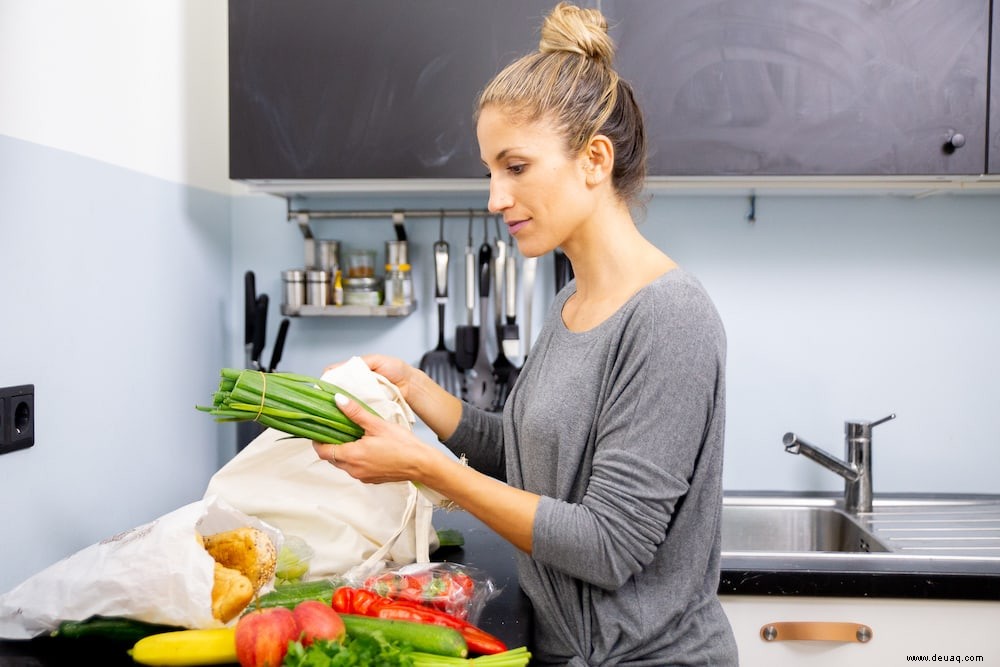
{"x":459,"y":590}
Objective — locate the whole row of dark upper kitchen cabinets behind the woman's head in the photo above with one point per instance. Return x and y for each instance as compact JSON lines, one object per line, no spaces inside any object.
{"x":332,"y":90}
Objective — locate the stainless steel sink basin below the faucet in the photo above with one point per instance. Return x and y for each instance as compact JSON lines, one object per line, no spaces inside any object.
{"x":796,"y":529}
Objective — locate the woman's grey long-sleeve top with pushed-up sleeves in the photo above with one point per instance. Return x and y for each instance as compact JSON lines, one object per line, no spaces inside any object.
{"x":620,"y":430}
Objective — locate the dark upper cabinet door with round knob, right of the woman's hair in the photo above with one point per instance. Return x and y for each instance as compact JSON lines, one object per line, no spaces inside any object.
{"x":809,"y":87}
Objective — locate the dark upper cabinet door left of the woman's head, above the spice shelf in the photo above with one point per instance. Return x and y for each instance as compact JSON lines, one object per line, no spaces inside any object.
{"x":332,"y":89}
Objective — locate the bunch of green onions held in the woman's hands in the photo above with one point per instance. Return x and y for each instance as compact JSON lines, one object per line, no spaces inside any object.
{"x":298,"y":405}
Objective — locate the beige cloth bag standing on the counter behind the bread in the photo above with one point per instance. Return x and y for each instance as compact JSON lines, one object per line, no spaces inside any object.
{"x":354,"y":528}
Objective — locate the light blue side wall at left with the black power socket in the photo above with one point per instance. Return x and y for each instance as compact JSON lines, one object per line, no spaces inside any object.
{"x":115,"y":289}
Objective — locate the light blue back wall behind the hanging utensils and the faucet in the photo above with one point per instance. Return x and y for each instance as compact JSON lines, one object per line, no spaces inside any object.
{"x":836,"y":308}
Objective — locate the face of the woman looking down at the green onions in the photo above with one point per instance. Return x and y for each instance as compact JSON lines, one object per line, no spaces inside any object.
{"x":542,"y":193}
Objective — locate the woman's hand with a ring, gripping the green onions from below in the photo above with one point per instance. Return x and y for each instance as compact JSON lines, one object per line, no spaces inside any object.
{"x":387,"y":452}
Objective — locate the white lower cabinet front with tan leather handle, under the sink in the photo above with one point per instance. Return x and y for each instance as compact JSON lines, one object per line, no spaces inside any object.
{"x":904,"y":631}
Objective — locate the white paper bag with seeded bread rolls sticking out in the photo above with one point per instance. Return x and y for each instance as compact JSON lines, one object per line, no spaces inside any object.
{"x":158,"y":573}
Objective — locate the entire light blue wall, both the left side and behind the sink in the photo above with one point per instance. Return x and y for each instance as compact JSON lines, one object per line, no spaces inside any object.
{"x":123,"y":297}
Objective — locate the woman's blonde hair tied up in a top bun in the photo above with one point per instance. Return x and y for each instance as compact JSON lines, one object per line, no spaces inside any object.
{"x":571,"y":81}
